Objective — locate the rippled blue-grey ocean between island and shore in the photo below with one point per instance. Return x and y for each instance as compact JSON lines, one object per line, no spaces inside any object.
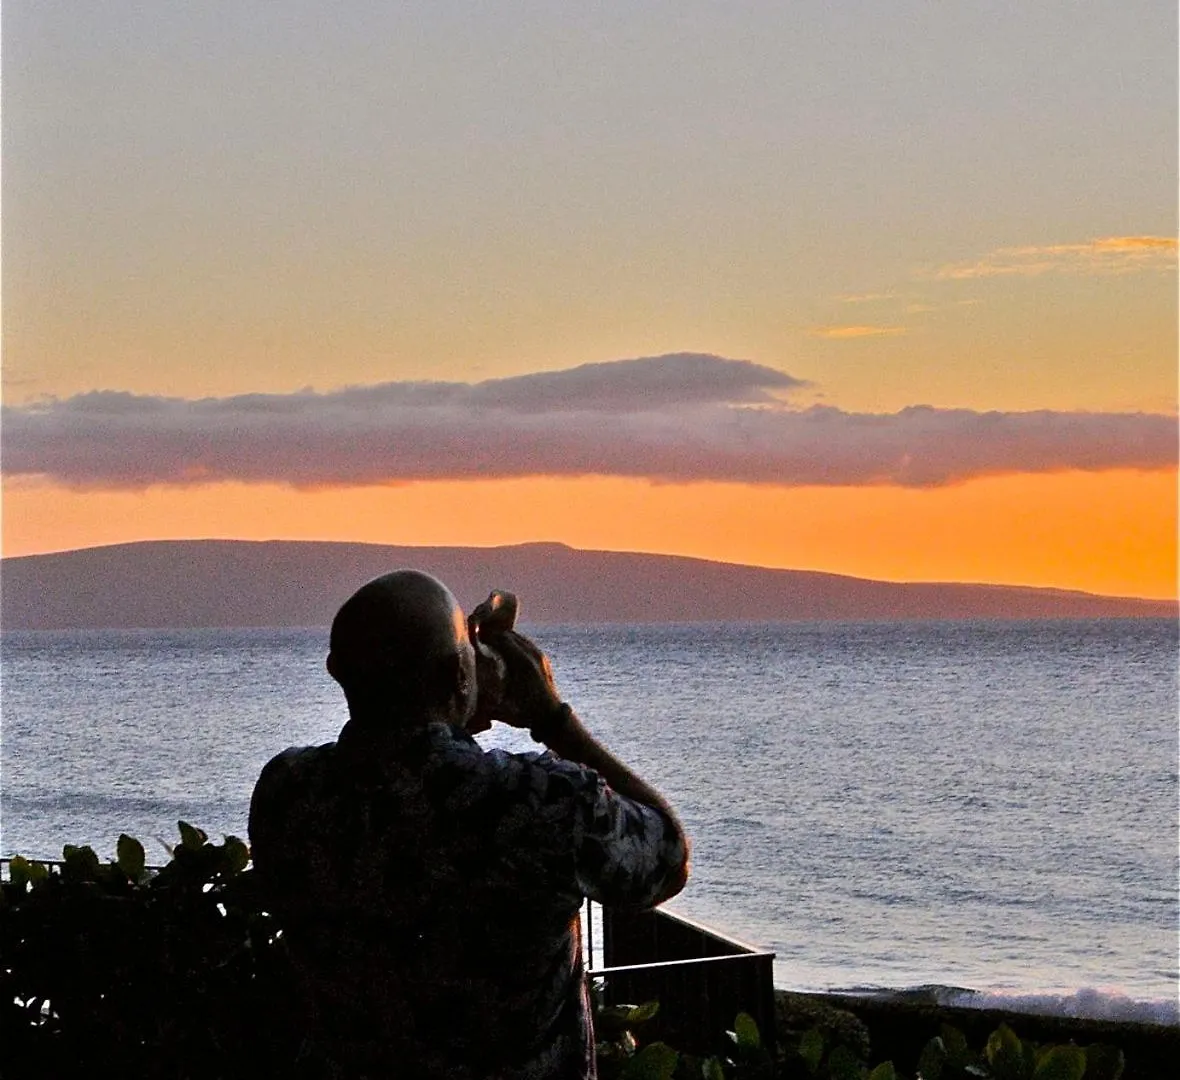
{"x":987,"y":808}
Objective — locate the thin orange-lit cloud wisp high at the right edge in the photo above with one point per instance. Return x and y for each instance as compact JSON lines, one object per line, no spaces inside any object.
{"x":1106,"y":256}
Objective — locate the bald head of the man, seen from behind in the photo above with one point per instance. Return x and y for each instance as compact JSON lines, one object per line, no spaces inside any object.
{"x":399,"y":650}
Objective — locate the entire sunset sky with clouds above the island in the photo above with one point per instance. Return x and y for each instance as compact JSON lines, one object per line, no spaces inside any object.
{"x":875,"y":290}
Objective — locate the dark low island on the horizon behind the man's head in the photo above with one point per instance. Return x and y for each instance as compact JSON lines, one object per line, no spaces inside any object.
{"x":291,"y":584}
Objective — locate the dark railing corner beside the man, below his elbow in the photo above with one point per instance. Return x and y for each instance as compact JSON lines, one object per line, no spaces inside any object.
{"x":702,"y":978}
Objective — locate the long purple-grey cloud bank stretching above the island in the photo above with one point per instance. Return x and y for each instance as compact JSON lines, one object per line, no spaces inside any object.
{"x":678,"y":418}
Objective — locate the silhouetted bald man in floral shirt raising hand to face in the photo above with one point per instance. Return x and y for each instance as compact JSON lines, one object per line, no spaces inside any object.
{"x":429,"y":889}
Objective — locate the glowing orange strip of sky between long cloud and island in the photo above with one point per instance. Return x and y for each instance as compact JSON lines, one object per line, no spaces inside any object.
{"x":1111,"y":533}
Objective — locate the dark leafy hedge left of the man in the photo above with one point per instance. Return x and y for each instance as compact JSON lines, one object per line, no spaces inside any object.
{"x":113,"y":967}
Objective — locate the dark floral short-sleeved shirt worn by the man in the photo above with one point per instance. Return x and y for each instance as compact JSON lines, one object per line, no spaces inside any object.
{"x":430,"y":892}
